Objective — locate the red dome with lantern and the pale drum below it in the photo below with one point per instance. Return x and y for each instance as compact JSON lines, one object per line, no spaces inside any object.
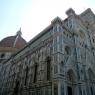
{"x":10,"y":45}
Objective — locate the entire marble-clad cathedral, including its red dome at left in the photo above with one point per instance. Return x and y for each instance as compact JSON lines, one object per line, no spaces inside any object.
{"x":60,"y":60}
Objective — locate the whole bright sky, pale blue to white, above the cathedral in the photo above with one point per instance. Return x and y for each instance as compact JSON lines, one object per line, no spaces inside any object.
{"x":33,"y":16}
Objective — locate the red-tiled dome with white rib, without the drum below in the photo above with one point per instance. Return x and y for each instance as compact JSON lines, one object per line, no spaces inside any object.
{"x":13,"y":41}
